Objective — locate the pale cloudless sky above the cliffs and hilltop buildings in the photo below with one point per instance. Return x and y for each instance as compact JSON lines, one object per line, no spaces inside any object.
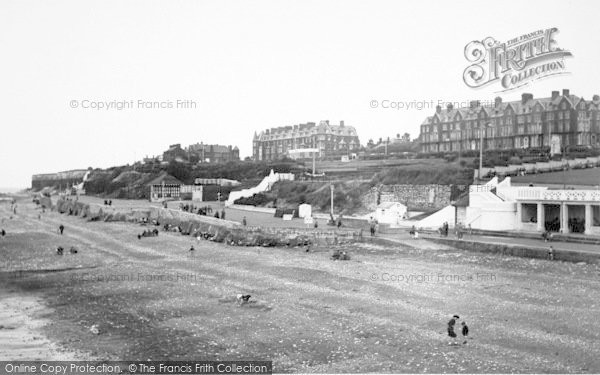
{"x":237,"y":67}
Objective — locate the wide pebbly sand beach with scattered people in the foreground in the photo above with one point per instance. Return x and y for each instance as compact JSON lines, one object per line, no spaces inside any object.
{"x":385,"y":310}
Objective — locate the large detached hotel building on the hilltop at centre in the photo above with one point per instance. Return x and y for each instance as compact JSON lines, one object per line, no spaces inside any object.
{"x":328,"y":141}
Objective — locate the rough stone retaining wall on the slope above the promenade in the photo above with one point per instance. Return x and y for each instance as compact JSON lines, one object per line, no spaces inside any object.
{"x":416,"y":197}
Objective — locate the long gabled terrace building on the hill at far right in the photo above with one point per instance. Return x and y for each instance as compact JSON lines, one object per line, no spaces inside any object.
{"x":559,"y":120}
